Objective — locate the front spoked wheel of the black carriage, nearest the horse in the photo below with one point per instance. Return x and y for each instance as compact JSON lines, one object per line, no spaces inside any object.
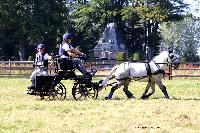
{"x":84,"y":91}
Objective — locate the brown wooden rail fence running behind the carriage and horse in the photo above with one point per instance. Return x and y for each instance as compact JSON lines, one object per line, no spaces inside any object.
{"x":23,"y":69}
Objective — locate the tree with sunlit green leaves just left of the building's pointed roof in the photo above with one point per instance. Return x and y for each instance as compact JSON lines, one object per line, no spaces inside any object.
{"x":92,"y":17}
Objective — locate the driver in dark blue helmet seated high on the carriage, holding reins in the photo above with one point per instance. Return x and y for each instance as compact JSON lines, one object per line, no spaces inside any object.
{"x":67,"y":52}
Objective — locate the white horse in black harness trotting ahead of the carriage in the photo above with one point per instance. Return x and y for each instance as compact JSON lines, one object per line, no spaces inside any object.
{"x":150,"y":72}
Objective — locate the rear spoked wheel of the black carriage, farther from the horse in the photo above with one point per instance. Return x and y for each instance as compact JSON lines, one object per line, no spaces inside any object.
{"x":57,"y":92}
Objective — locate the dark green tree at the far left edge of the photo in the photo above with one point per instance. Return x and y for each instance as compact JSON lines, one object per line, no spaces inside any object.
{"x":12,"y":30}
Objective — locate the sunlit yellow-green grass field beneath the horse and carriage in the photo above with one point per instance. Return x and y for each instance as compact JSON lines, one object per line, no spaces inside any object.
{"x":23,"y":113}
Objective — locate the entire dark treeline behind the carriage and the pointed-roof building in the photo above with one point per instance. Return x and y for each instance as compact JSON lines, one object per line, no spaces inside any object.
{"x":24,"y":23}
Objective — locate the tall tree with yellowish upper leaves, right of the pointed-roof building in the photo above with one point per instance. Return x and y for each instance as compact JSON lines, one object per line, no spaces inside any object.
{"x":143,"y":20}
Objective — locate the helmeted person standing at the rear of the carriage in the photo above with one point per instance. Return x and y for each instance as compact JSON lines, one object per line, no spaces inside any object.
{"x":40,"y":65}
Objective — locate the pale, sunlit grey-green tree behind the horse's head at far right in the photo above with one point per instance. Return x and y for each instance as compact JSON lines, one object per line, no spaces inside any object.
{"x":183,"y":37}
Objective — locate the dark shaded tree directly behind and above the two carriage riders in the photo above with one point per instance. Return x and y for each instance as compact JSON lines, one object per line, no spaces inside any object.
{"x":49,"y":21}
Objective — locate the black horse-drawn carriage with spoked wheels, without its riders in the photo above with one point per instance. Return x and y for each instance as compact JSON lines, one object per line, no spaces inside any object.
{"x":50,"y":86}
